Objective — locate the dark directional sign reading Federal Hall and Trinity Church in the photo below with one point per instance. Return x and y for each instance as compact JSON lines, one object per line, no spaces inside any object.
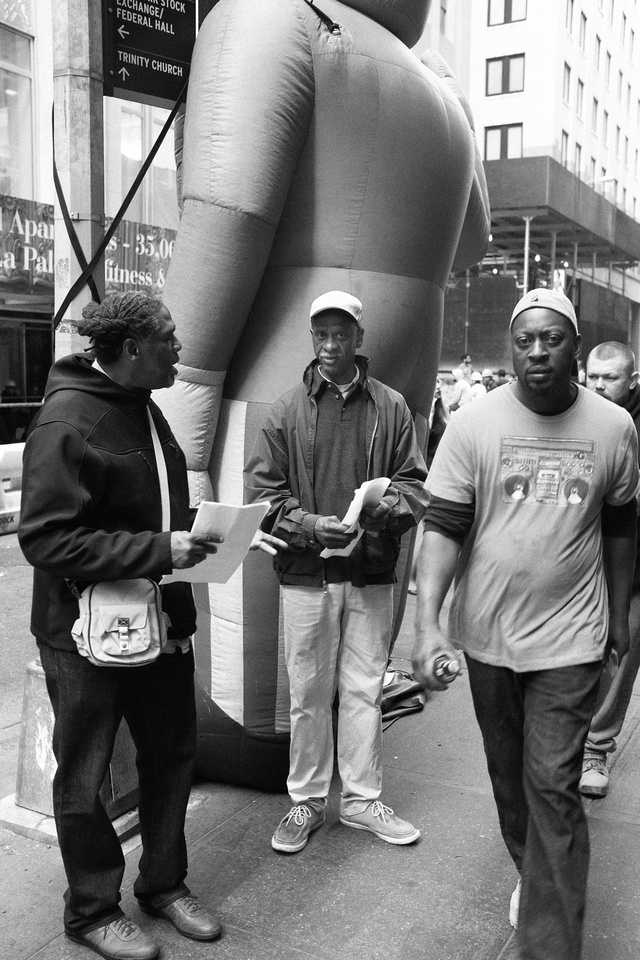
{"x":147,"y":48}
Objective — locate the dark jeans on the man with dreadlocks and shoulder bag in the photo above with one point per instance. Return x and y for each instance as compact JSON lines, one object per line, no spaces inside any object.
{"x":88,"y":703}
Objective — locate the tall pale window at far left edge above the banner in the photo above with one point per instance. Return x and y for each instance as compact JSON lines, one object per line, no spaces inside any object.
{"x":16,"y":133}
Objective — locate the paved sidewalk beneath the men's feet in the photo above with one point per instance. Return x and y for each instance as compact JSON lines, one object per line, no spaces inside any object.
{"x":348,"y":895}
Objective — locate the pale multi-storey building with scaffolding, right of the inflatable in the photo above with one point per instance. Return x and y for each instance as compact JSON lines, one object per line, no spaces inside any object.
{"x":554,"y":87}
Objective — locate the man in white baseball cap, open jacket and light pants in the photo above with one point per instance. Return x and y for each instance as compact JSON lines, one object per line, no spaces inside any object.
{"x":320,"y":442}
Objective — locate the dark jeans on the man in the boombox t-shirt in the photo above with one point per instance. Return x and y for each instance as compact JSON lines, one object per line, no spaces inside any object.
{"x":534,"y":726}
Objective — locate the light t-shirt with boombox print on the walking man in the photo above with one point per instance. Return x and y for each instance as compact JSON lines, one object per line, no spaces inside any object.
{"x":530,"y":589}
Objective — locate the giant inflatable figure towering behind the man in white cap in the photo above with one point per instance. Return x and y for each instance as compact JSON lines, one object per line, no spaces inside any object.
{"x":320,"y":154}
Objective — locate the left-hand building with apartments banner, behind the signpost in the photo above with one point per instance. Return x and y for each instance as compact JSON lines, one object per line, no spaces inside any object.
{"x":140,"y":251}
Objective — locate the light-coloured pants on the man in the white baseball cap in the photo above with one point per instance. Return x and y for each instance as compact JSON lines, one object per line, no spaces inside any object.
{"x":336,"y":640}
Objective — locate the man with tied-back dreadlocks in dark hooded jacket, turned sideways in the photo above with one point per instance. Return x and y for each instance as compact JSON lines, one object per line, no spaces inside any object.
{"x":91,"y":510}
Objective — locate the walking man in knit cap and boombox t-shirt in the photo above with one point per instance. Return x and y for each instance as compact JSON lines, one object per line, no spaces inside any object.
{"x":532,"y":505}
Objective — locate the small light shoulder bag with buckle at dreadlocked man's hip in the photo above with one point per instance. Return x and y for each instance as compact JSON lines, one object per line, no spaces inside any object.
{"x":121,"y":623}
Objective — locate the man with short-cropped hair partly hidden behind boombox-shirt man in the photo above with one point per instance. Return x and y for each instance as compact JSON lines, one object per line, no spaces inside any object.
{"x":611,"y":372}
